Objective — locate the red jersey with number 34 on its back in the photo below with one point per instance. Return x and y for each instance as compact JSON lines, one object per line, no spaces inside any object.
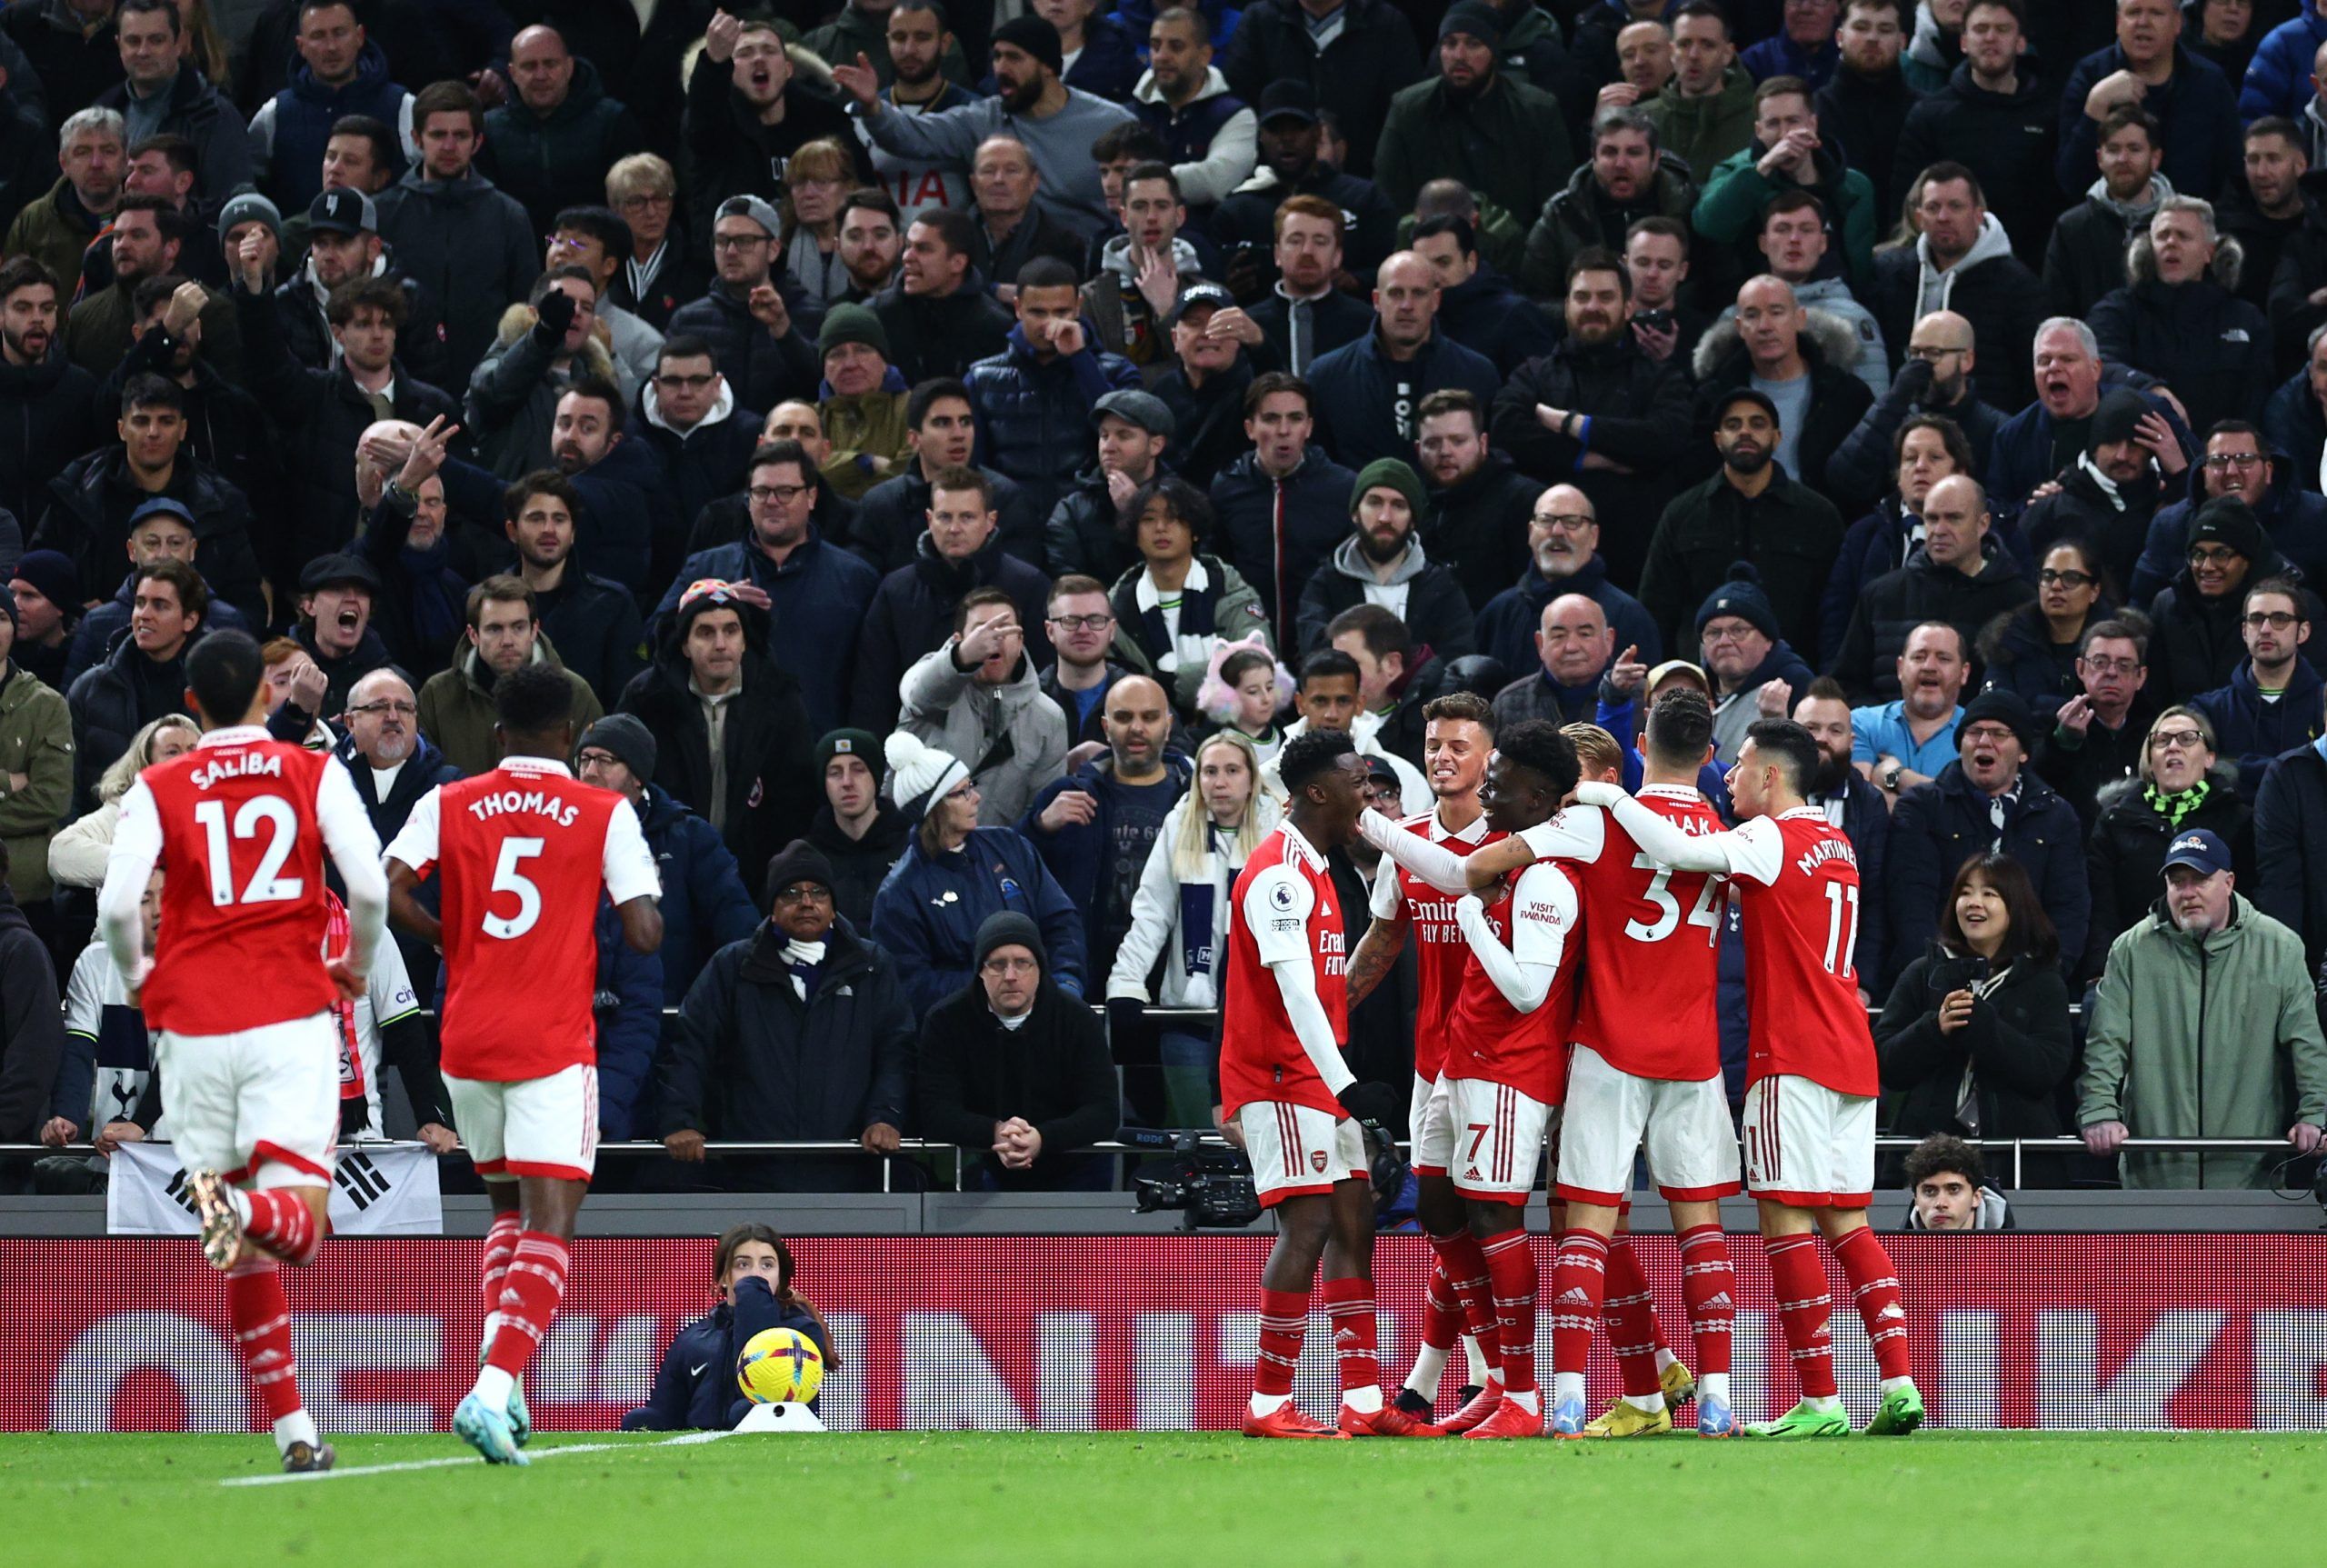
{"x":1651,"y":978}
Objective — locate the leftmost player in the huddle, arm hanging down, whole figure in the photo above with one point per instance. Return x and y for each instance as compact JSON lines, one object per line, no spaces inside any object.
{"x":1293,"y":1095}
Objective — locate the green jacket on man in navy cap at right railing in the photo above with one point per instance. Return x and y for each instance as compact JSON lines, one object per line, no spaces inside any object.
{"x":2214,"y":1039}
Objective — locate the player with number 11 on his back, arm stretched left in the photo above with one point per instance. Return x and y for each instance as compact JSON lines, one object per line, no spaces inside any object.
{"x":1812,"y":1064}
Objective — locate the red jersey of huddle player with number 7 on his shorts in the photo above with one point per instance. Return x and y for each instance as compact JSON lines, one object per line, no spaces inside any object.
{"x":1488,"y":1039}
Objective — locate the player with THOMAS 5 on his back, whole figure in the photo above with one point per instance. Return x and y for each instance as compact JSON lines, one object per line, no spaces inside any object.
{"x":525,"y":855}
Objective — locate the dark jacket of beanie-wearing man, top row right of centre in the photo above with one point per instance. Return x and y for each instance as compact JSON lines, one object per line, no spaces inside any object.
{"x":1509,"y":145}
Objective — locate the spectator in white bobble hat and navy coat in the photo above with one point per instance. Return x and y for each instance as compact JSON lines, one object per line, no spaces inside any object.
{"x":953,"y":876}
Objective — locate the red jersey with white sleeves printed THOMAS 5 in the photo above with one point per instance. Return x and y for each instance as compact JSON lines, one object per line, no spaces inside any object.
{"x":525,"y":855}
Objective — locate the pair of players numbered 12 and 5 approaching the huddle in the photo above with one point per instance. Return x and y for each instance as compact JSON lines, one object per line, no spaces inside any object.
{"x":257,"y":964}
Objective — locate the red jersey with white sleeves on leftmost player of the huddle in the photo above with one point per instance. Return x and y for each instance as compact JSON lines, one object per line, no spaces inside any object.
{"x":1283,"y":906}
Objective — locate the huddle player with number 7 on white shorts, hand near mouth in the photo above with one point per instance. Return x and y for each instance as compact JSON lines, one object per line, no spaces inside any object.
{"x":1507,"y":1057}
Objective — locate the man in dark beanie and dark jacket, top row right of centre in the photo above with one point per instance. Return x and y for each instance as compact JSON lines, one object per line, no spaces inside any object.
{"x":1470,"y":120}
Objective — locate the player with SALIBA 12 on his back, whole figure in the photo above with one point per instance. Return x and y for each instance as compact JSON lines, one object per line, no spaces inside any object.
{"x":243,"y":997}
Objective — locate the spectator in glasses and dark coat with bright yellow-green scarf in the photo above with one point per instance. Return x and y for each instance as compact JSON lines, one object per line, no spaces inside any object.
{"x":2184,"y":785}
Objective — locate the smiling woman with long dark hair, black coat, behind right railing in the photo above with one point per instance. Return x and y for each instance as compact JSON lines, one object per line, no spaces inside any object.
{"x":1974,"y":1039}
